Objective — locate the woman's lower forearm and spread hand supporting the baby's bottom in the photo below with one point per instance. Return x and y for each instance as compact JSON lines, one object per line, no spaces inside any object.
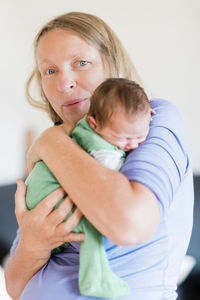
{"x":42,"y":229}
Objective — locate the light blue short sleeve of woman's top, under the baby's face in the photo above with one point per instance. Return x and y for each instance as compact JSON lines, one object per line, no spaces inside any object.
{"x":162,"y":161}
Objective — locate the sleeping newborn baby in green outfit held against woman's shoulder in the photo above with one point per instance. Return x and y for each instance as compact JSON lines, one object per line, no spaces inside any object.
{"x":118,"y":121}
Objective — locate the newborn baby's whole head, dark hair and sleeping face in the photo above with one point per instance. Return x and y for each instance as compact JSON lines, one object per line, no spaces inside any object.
{"x":120,"y":112}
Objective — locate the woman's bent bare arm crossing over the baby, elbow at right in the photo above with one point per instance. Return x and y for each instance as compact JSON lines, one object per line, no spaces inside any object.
{"x":126,"y":212}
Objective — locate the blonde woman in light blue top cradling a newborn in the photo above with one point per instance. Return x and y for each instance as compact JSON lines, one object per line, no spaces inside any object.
{"x":144,"y":212}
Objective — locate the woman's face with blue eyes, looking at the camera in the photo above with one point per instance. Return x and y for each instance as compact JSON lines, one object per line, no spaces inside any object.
{"x":71,"y":69}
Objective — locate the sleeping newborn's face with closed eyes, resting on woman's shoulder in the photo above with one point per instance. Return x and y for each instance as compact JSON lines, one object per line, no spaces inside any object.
{"x":124,"y":131}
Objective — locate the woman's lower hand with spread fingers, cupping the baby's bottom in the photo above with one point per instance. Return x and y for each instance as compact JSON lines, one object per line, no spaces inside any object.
{"x":42,"y":229}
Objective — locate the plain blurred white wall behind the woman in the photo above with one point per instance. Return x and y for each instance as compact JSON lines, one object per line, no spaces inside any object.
{"x":162,"y":37}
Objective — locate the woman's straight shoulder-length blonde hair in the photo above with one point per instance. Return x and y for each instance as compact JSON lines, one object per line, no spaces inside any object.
{"x":97,"y":33}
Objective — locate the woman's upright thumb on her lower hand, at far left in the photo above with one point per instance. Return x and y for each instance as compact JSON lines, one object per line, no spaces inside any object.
{"x":20,"y":204}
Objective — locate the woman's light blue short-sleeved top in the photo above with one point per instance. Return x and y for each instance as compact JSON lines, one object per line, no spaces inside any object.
{"x":163,"y":164}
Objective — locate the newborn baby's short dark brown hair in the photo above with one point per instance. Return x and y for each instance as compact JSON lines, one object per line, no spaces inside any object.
{"x":114,"y":94}
